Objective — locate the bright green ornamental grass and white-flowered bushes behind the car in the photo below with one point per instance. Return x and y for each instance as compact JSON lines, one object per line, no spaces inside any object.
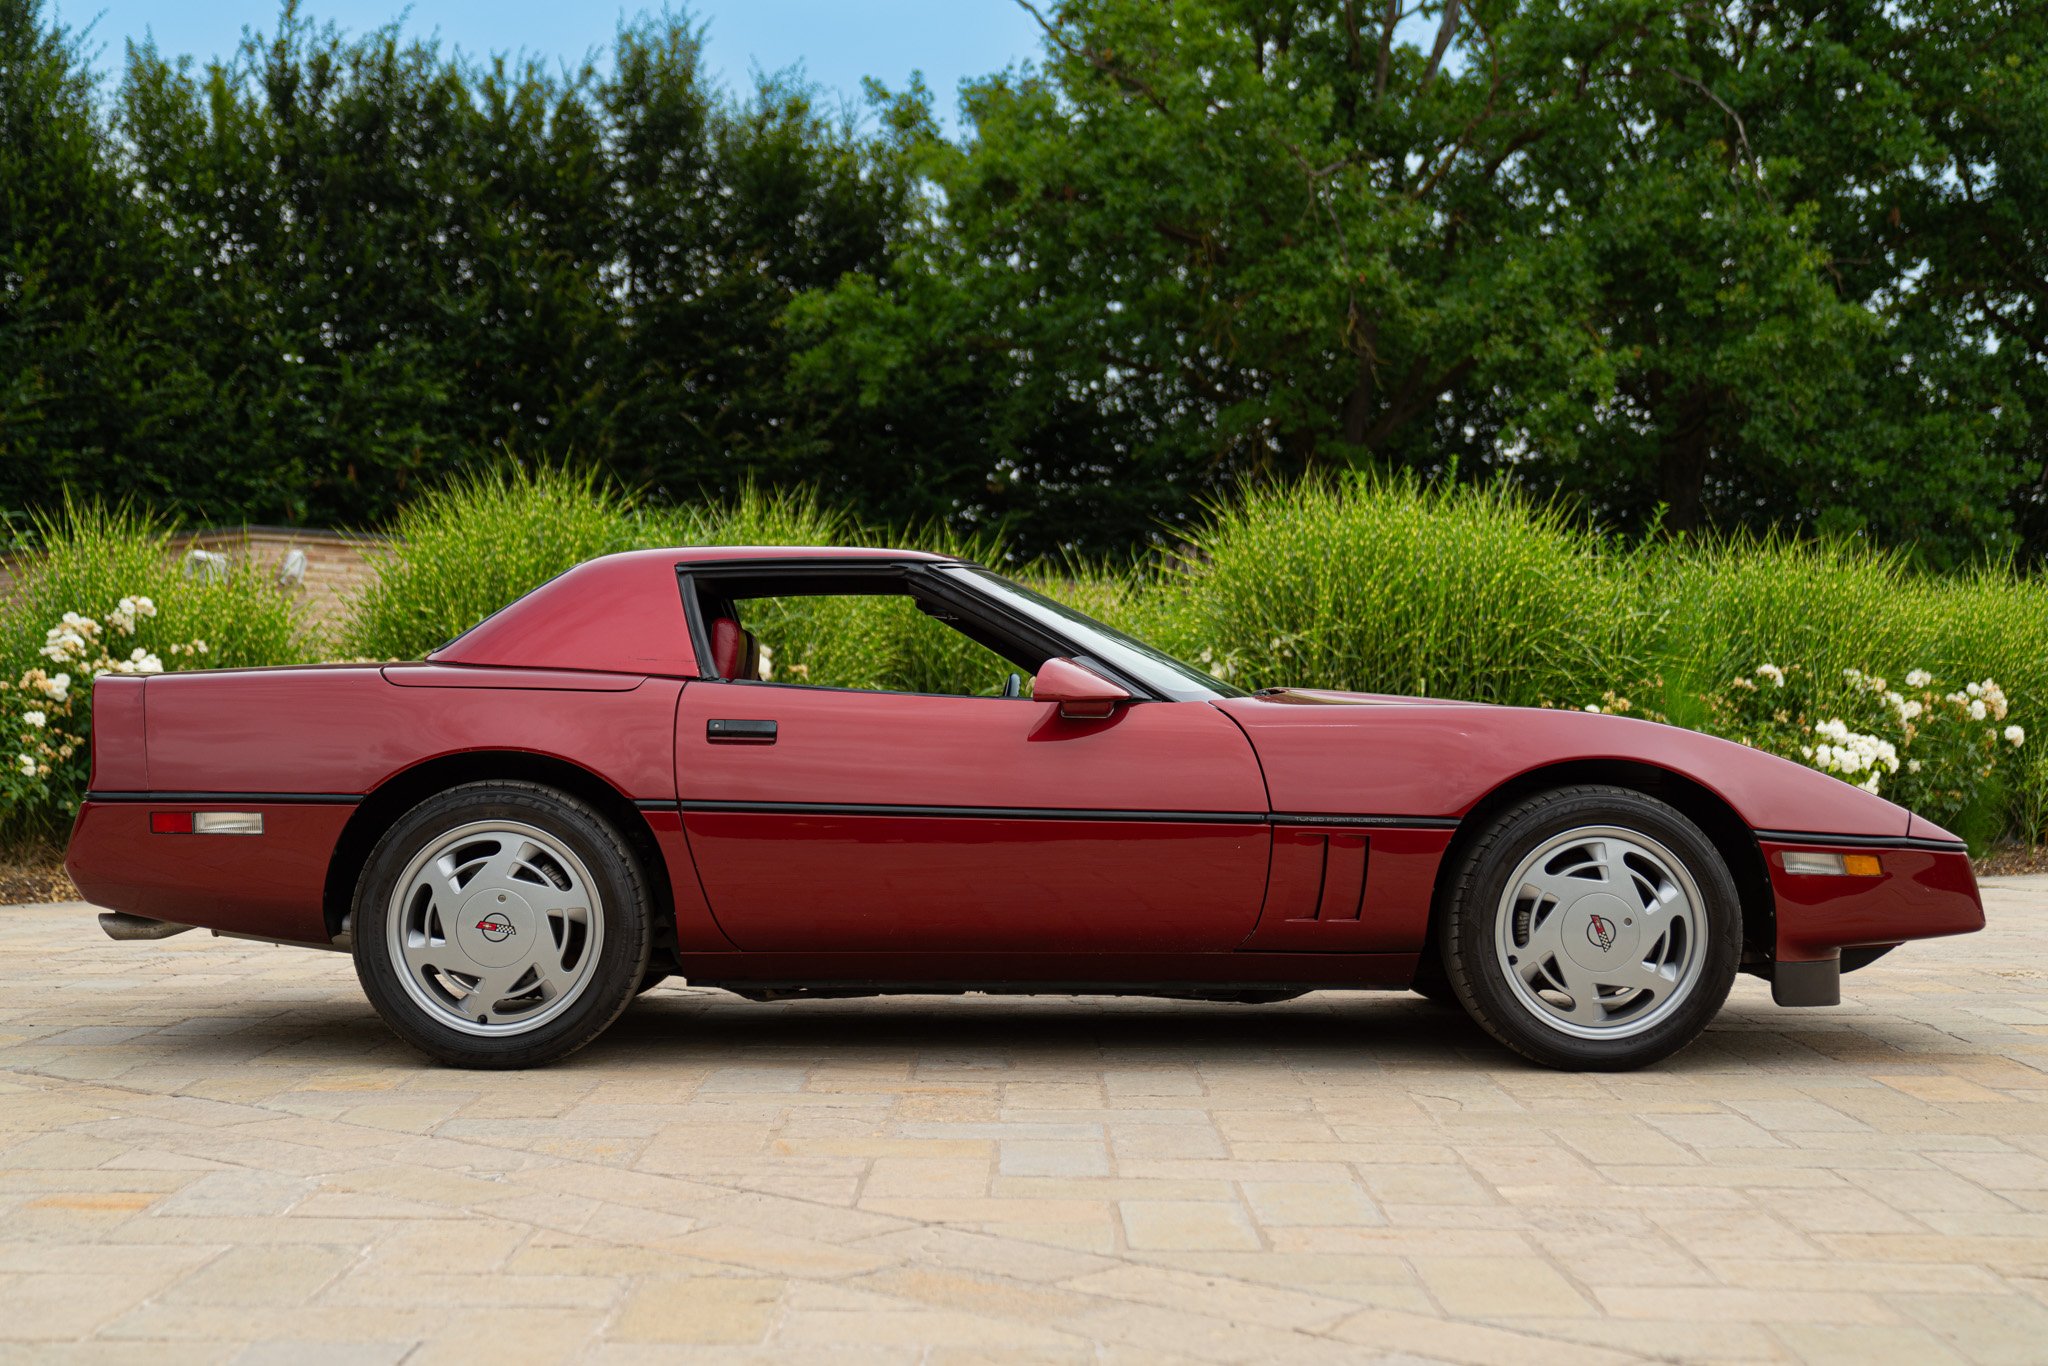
{"x":1844,"y":660}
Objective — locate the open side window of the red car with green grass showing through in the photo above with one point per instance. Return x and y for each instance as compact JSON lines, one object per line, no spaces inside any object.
{"x":884,"y":642}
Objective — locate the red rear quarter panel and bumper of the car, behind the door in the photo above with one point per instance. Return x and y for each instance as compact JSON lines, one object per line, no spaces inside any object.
{"x":302,"y":746}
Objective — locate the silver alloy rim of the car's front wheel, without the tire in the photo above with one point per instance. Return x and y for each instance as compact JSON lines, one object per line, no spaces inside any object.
{"x":1601,"y":933}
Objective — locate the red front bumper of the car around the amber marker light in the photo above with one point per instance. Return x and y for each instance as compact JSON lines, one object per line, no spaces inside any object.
{"x":1926,"y":892}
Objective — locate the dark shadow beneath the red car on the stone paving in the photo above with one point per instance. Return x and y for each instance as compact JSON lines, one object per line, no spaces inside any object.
{"x":1326,"y":1031}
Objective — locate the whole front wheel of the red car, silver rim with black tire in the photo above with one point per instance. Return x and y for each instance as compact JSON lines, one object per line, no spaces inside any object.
{"x":1592,"y":929}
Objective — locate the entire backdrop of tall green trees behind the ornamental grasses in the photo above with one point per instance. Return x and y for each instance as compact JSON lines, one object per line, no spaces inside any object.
{"x":1691,"y":265}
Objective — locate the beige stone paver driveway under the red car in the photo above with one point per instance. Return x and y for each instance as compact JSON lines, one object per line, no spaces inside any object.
{"x":214,"y":1152}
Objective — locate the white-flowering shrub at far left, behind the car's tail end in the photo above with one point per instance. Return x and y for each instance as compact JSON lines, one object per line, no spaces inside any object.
{"x":48,"y":712}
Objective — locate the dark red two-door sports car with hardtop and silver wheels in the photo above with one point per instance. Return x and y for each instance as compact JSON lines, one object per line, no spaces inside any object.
{"x":605,"y":785}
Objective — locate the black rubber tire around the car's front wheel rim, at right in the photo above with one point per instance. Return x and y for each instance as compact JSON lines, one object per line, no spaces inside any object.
{"x":1476,"y":906}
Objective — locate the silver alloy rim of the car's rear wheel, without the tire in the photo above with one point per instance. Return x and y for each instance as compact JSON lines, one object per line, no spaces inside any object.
{"x":495,"y":929}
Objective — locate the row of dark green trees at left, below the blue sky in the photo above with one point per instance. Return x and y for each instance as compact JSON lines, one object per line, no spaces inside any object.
{"x":364,"y":263}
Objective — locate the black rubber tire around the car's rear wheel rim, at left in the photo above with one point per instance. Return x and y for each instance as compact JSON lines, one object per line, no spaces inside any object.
{"x":607,"y":984}
